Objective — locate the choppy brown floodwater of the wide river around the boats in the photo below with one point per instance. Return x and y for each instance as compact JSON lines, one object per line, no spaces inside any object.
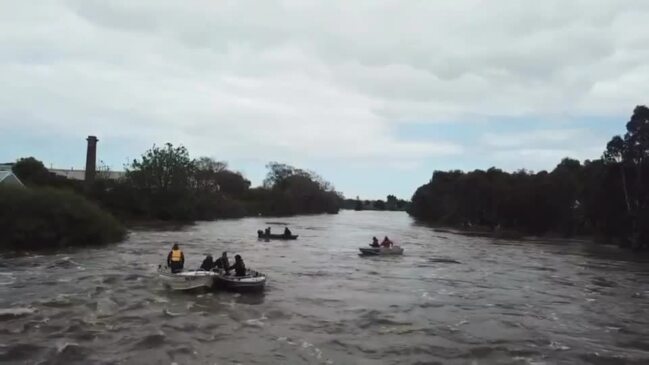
{"x":450,"y":300}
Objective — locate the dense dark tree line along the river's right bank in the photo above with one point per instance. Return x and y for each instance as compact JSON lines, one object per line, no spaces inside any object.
{"x":607,"y":197}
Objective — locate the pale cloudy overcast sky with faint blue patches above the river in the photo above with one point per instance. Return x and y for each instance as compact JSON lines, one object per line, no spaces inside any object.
{"x":373,"y":95}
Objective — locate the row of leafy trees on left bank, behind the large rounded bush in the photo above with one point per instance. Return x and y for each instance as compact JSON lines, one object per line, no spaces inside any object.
{"x":165,"y":183}
